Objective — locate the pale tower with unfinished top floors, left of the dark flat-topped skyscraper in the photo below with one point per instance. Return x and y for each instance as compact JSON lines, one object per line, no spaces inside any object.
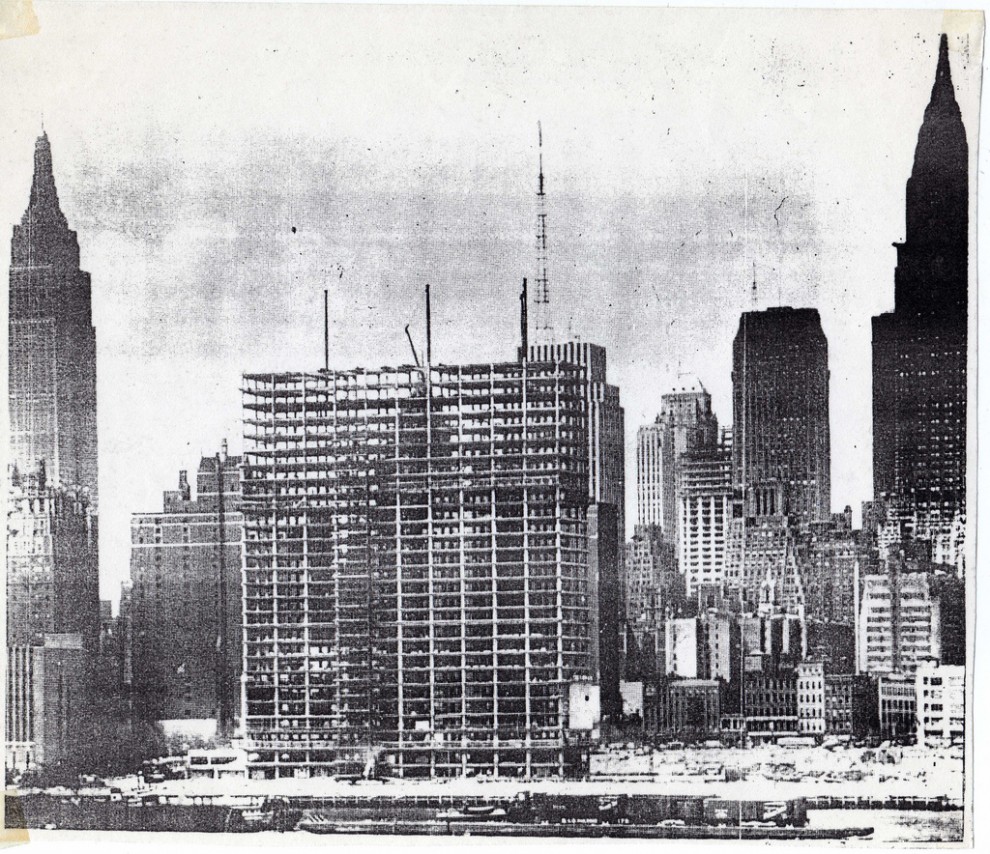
{"x":705,"y":496}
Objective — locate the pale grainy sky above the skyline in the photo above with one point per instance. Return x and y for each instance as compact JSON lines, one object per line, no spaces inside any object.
{"x":223,"y":164}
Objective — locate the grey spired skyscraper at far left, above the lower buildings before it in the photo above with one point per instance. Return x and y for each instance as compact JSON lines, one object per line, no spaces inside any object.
{"x":52,"y":342}
